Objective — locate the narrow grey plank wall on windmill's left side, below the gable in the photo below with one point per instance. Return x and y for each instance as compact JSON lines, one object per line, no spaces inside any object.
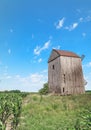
{"x":54,"y":75}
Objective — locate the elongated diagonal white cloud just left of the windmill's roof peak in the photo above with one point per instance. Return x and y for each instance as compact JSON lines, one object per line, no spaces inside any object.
{"x":39,"y":49}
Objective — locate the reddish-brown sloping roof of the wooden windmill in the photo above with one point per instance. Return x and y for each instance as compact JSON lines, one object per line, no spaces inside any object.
{"x":66,"y":53}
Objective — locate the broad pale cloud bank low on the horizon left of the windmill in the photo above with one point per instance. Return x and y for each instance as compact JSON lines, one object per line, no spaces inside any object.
{"x":29,"y":83}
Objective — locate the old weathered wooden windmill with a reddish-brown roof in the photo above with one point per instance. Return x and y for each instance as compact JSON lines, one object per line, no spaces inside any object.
{"x":65,"y":74}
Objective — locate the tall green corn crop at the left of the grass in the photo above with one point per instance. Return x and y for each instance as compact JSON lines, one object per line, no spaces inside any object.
{"x":10,"y":109}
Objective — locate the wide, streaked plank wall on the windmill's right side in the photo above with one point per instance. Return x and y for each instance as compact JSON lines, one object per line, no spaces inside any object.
{"x":71,"y":75}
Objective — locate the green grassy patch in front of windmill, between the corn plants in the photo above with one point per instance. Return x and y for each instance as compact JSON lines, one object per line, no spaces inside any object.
{"x":53,"y":112}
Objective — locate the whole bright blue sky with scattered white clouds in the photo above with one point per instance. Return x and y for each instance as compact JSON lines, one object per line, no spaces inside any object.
{"x":30,"y":29}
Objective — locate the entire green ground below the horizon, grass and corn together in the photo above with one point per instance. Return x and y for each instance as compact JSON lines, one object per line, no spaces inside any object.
{"x":32,"y":111}
